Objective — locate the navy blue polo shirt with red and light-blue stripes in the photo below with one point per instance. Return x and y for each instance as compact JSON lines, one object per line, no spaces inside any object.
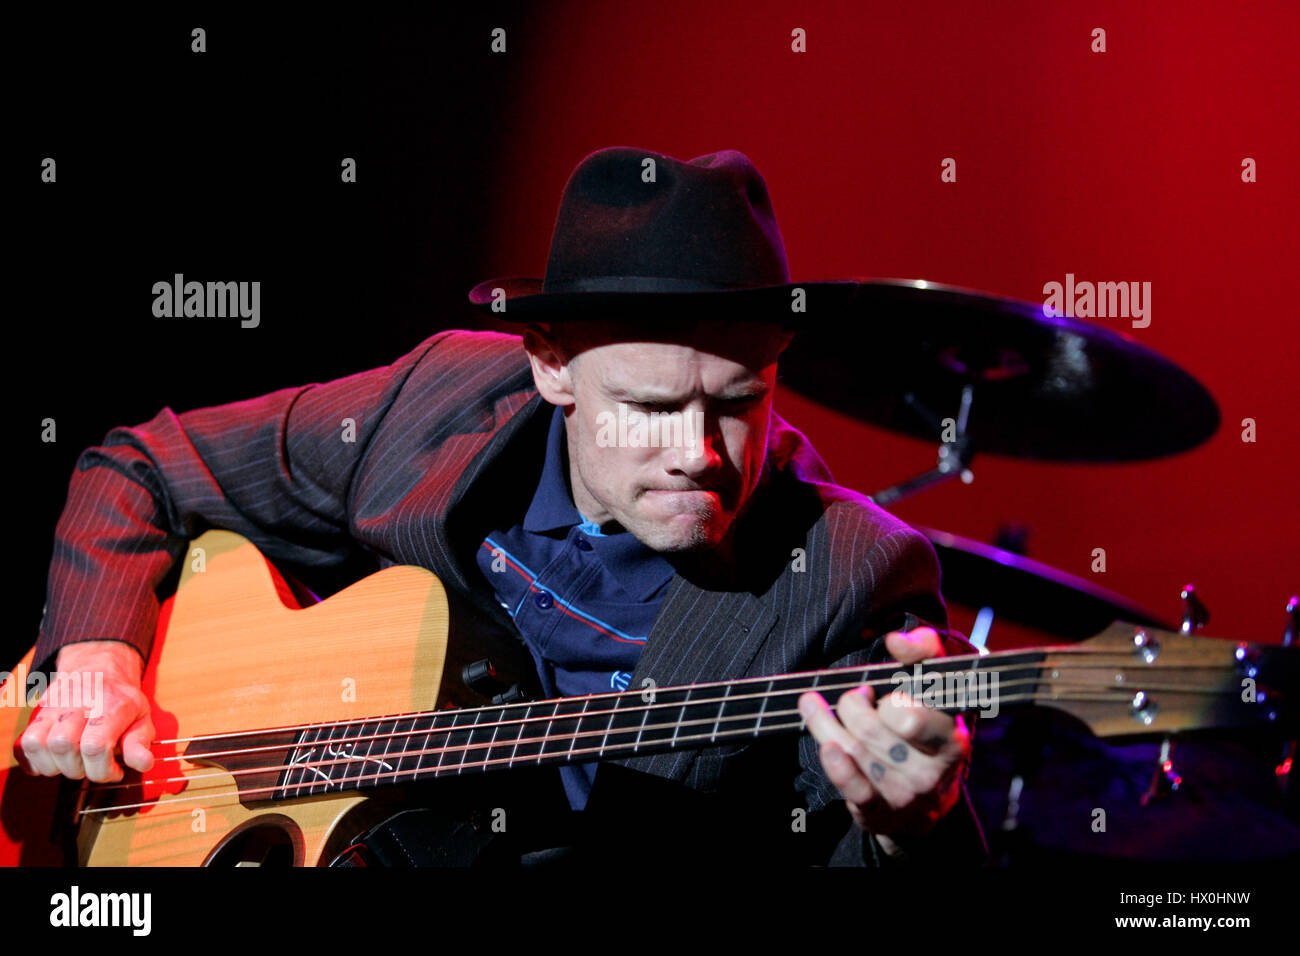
{"x":583,"y":602}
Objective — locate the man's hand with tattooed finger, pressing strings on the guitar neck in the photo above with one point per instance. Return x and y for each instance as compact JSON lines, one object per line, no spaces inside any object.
{"x":898,"y":767}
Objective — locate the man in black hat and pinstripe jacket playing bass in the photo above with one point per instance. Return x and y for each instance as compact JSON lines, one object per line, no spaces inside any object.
{"x":723,"y":552}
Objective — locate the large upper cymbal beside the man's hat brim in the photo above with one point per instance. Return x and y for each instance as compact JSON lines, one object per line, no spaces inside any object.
{"x":1047,"y":388}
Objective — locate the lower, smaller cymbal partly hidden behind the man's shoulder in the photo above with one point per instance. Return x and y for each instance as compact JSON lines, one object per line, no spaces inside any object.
{"x":1030,"y":592}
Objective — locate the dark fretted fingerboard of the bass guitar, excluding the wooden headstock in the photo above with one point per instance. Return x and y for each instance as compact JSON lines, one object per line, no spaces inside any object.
{"x":397,"y":750}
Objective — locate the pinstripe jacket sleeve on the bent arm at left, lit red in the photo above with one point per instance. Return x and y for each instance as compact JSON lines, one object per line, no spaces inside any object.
{"x":275,"y":469}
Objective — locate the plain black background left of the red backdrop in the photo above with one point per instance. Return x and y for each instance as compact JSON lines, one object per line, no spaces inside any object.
{"x":227,"y":167}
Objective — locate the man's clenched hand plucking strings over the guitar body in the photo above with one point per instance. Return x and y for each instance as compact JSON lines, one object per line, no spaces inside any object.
{"x":80,"y":741}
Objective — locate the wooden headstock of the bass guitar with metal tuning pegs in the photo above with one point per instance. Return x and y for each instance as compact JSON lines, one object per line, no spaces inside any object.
{"x":1132,"y":680}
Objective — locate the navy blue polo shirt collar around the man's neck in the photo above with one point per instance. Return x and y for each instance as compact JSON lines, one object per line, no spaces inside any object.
{"x":639,"y":570}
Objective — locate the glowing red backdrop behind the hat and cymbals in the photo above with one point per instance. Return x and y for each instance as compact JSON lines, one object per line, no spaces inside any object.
{"x":1120,"y":166}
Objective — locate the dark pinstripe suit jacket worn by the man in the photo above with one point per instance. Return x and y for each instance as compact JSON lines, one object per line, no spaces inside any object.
{"x":449,"y":444}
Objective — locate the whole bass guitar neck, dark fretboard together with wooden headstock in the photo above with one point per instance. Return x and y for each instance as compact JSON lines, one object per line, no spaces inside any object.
{"x":1126,"y":681}
